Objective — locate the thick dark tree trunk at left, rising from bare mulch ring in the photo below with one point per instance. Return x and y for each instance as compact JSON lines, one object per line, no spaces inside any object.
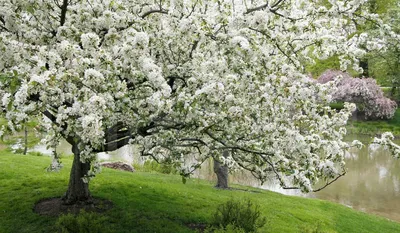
{"x":78,"y":191}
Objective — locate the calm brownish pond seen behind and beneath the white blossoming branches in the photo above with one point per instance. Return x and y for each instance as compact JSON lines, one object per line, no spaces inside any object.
{"x":372,"y":183}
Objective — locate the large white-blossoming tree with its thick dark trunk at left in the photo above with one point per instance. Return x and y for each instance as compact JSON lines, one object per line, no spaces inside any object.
{"x":181,"y":78}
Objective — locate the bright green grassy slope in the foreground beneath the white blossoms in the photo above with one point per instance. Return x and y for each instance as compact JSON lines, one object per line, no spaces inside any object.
{"x":151,"y":202}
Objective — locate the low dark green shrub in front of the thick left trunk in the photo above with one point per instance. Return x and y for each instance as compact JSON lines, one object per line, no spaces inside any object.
{"x":84,"y":222}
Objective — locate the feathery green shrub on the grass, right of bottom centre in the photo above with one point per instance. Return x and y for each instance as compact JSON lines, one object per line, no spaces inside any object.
{"x":243,"y":214}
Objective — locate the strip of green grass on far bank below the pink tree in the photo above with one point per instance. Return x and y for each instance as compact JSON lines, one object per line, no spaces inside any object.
{"x":376,"y":126}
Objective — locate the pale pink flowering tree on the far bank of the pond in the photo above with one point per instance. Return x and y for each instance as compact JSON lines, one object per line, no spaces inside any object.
{"x":364,"y":92}
